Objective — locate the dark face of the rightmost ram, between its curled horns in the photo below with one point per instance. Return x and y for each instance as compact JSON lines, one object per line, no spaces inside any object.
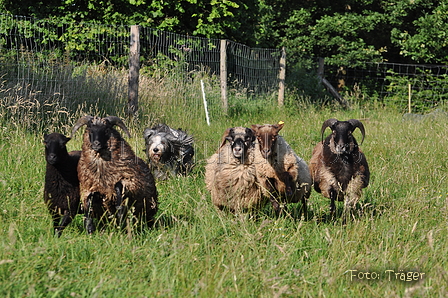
{"x":341,"y":140}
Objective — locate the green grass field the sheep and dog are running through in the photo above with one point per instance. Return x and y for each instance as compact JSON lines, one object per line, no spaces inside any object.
{"x":396,"y":248}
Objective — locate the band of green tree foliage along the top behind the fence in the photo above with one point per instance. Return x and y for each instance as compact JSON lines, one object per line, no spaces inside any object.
{"x":346,"y":34}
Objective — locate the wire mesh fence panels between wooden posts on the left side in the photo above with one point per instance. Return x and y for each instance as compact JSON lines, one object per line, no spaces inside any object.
{"x":48,"y":61}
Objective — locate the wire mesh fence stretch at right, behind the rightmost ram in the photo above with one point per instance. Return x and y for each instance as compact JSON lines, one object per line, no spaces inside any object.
{"x":423,"y":86}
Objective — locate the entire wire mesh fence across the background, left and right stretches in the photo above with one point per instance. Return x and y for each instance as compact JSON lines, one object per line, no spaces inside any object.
{"x":48,"y":61}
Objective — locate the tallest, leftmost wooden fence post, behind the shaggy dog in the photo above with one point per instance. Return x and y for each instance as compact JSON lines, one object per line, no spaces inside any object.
{"x":134,"y":69}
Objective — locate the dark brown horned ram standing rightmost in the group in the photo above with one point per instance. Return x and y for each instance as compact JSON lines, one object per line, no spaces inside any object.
{"x":338,"y":167}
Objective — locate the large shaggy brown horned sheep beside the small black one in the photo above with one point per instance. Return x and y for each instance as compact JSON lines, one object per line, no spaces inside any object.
{"x":112,"y":178}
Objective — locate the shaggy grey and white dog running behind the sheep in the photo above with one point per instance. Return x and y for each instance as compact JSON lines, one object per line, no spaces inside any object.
{"x":169,"y":151}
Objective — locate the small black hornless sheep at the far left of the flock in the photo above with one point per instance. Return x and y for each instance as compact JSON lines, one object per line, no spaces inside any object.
{"x":61,"y":190}
